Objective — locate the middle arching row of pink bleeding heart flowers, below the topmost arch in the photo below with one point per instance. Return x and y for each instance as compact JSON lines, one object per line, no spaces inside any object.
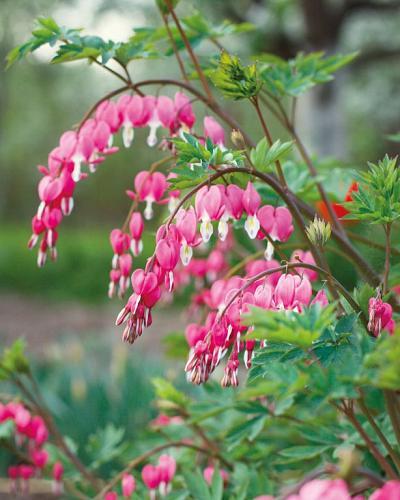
{"x":175,"y":243}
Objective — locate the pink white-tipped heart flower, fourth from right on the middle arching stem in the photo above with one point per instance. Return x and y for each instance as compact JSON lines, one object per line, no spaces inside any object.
{"x":210,"y":206}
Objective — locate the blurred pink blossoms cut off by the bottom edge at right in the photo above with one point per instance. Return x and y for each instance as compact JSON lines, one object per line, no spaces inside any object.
{"x":337,"y":489}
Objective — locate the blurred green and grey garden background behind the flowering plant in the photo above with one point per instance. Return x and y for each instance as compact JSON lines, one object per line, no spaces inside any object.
{"x":62,"y":310}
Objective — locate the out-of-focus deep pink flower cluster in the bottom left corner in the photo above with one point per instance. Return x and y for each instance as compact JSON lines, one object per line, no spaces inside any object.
{"x":30,"y":436}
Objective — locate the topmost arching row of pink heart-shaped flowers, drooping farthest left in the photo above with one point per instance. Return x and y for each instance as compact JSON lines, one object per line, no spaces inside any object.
{"x":91,"y":143}
